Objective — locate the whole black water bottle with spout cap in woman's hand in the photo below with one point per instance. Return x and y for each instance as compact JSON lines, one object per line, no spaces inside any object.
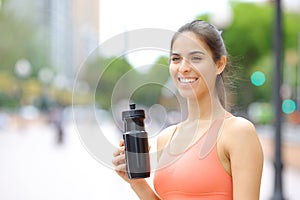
{"x":136,"y":143}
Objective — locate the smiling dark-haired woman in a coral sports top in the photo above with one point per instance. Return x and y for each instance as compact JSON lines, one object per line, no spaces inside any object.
{"x":212,"y":154}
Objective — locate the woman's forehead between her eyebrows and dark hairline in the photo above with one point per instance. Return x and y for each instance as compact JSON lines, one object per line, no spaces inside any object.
{"x":188,"y":41}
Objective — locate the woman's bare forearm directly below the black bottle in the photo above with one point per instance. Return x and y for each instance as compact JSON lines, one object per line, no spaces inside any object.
{"x":143,"y":190}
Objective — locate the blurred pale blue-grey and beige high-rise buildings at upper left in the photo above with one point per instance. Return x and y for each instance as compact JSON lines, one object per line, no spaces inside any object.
{"x":74,"y":26}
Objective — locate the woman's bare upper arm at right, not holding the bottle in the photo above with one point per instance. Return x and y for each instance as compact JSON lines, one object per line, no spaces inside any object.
{"x":246,"y":160}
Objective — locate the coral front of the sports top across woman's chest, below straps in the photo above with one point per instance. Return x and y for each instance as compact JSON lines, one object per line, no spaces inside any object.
{"x":189,"y":173}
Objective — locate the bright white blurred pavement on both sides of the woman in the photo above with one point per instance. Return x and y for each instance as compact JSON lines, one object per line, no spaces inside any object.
{"x":34,"y":166}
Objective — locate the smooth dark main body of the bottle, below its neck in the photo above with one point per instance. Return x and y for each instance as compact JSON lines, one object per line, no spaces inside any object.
{"x":137,"y":154}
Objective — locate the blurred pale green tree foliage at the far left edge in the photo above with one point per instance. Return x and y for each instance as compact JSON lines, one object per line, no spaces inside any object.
{"x":19,"y":39}
